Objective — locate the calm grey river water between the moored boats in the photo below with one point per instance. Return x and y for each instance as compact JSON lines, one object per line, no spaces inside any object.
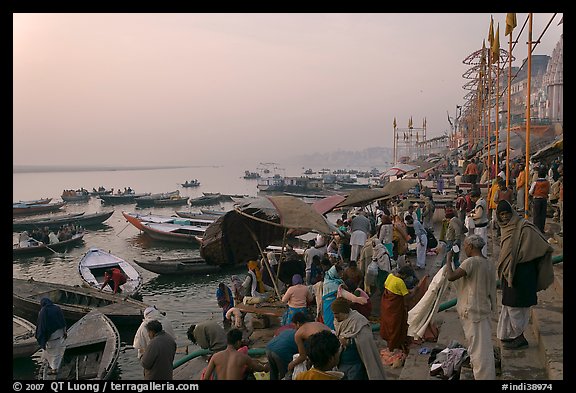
{"x":185,"y":299}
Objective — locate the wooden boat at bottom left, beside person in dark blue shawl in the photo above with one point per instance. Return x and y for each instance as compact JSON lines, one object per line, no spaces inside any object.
{"x":92,"y":350}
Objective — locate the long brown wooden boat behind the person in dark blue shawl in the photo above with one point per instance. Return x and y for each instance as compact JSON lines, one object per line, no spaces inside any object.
{"x":75,"y":302}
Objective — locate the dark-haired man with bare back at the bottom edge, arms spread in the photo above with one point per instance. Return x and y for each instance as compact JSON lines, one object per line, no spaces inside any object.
{"x":230,"y":364}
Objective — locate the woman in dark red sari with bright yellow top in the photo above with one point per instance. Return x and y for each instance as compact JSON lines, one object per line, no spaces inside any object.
{"x":393,"y":310}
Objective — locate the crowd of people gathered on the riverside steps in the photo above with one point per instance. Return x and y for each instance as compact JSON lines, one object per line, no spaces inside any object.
{"x":376,"y":253}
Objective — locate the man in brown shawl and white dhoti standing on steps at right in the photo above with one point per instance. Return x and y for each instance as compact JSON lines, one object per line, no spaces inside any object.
{"x":524,"y":267}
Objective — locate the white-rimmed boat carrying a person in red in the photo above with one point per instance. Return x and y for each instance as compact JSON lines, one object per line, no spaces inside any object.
{"x":96,"y":261}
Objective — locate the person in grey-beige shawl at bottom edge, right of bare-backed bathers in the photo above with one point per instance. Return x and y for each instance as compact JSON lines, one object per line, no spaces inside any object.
{"x":360,"y":358}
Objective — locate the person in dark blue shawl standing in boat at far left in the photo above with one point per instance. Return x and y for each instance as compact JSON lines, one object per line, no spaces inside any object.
{"x":51,"y":333}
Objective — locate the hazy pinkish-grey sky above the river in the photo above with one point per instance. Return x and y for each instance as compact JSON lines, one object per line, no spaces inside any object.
{"x":195,"y":89}
